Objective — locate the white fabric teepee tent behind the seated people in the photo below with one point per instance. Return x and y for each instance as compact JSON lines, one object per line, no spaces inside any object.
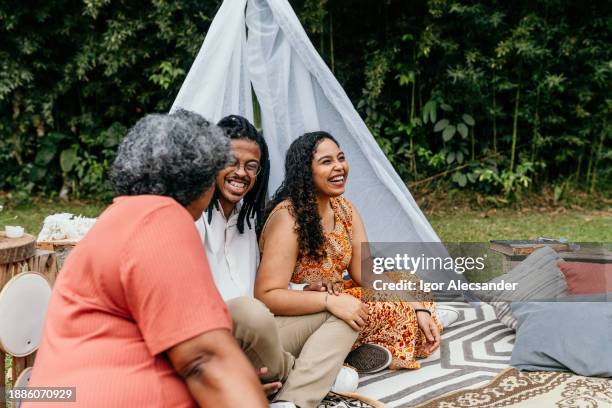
{"x":297,"y":93}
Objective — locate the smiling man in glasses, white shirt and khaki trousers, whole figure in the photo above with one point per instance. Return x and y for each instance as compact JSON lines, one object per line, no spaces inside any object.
{"x":304,"y":354}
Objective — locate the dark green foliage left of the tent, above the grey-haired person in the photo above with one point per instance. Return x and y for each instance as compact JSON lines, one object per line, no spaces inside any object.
{"x":75,"y":75}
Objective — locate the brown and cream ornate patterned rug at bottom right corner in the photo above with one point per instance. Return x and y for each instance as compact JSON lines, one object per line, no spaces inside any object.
{"x":514,"y":389}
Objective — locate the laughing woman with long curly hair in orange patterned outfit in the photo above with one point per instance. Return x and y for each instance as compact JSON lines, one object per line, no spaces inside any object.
{"x":313,"y":234}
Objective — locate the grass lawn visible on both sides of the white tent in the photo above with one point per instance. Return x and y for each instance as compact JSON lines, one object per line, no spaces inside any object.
{"x":453,"y":224}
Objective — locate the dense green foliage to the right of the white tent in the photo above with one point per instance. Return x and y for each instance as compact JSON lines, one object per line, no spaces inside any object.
{"x":497,"y":83}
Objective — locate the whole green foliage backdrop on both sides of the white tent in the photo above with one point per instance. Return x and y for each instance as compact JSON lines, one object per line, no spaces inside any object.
{"x":495,"y":98}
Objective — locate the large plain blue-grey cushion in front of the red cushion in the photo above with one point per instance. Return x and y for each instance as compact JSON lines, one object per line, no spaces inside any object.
{"x":558,"y":337}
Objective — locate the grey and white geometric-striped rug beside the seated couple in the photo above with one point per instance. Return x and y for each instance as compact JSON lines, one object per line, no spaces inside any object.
{"x":473,"y":351}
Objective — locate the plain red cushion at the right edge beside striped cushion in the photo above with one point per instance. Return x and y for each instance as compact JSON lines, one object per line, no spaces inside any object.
{"x":587,"y":278}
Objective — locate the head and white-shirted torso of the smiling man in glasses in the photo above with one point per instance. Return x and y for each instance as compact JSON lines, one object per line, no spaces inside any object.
{"x":228,"y":226}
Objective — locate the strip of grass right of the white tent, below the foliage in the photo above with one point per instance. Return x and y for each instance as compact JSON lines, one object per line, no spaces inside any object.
{"x":462,"y":215}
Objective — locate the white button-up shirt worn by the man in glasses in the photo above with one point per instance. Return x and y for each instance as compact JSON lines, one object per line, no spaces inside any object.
{"x":233,"y":257}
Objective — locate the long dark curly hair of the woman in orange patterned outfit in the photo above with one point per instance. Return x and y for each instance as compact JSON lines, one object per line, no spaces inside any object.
{"x":298,"y":187}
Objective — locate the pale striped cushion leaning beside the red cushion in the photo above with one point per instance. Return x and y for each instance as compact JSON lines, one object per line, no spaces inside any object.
{"x":538,"y":278}
